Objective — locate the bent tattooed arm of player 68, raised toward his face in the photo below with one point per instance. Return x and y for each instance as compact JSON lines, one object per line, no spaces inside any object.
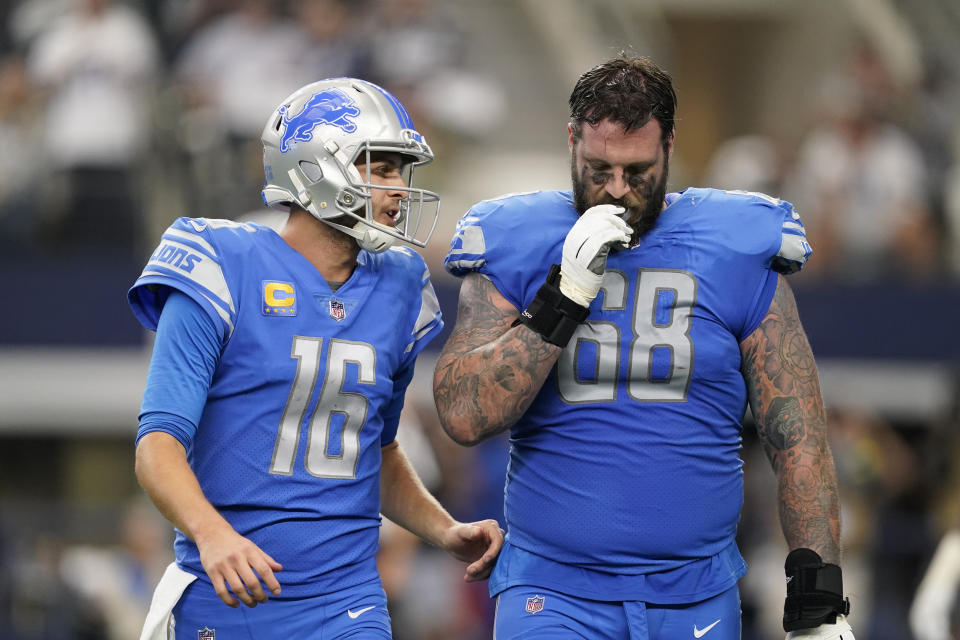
{"x":489,"y":371}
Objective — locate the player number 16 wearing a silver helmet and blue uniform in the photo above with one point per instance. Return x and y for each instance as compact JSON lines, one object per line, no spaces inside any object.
{"x":268,"y":424}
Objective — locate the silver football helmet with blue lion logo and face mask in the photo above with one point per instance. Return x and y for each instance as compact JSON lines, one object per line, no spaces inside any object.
{"x":311,"y":143}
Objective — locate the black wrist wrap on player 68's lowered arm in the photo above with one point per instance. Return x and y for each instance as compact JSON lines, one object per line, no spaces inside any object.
{"x":814,"y":591}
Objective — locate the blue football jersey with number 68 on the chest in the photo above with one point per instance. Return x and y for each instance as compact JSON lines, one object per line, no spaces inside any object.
{"x":626,"y":465}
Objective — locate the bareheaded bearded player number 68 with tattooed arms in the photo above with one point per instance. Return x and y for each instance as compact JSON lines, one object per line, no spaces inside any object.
{"x":619,"y":331}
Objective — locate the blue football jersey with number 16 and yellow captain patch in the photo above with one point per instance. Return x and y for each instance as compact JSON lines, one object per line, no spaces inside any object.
{"x":288,"y":444}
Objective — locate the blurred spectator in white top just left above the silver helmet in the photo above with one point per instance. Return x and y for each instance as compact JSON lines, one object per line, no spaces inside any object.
{"x":231,"y":73}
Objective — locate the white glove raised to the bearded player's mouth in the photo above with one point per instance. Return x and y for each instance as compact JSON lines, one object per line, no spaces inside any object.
{"x":585,"y":251}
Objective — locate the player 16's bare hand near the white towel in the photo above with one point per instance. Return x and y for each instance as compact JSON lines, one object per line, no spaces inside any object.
{"x":237,"y":565}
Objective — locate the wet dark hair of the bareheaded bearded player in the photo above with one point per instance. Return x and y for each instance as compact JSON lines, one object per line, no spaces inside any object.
{"x":629,"y":90}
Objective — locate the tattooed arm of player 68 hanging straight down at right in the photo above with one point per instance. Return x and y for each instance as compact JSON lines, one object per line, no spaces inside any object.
{"x":784,"y":391}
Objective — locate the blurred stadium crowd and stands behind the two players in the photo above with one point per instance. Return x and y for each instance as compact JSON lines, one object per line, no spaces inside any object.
{"x":118,"y":116}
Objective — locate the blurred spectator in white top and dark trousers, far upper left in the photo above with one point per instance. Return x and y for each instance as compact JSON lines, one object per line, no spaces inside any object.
{"x":94,"y":65}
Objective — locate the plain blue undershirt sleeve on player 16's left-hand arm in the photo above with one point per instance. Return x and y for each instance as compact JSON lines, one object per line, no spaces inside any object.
{"x":185,"y":355}
